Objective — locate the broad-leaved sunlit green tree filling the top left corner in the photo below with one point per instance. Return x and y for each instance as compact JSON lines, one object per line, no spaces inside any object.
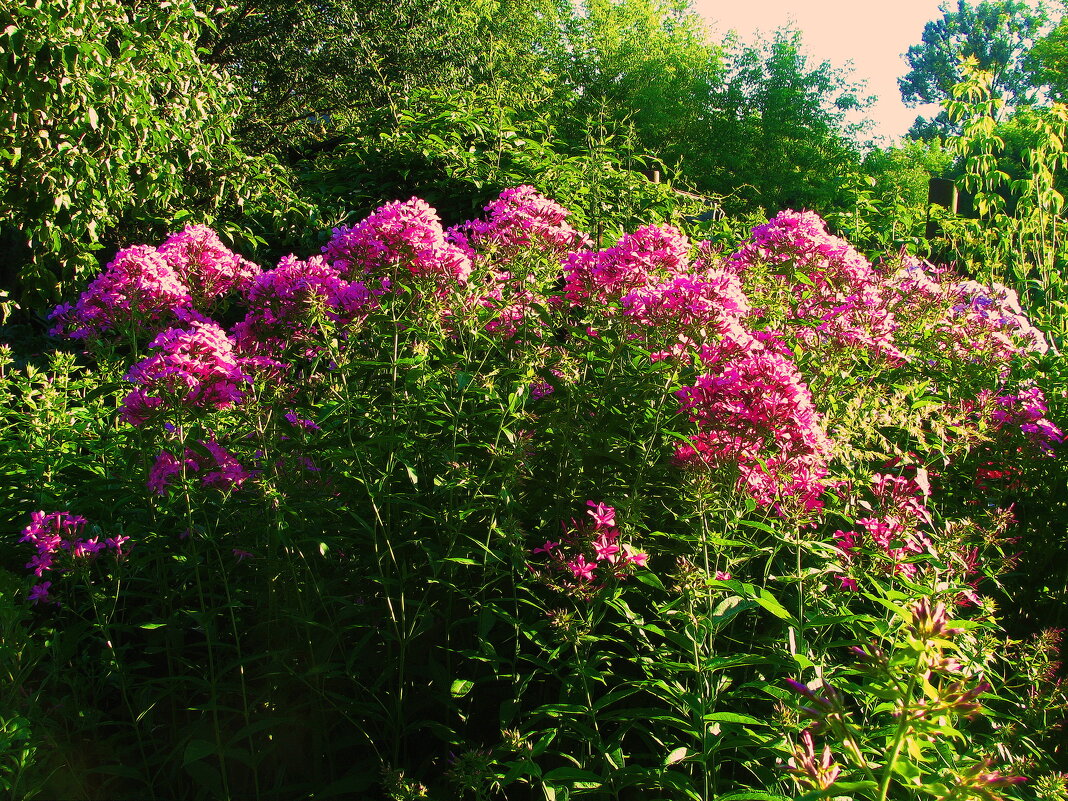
{"x":114,"y":130}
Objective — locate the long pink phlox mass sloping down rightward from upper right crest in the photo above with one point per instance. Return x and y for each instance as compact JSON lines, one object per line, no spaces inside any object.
{"x":835,"y":293}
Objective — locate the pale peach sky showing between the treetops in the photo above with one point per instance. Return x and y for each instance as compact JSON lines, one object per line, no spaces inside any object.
{"x":874,"y":36}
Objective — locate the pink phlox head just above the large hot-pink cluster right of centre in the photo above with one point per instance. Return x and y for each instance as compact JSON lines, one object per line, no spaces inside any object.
{"x":678,"y":316}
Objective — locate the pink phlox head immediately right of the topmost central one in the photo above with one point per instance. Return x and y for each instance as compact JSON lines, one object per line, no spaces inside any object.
{"x":606,"y":276}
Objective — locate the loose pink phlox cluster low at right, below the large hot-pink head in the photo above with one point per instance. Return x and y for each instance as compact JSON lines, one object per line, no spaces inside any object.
{"x":894,"y":527}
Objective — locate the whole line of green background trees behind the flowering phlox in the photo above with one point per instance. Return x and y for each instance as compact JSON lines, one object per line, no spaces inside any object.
{"x":275,"y":121}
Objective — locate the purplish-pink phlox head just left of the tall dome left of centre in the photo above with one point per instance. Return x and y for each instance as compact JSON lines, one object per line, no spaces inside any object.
{"x":287,"y":305}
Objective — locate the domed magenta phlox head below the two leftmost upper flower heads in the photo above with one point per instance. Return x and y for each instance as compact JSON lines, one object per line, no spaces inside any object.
{"x":195,"y":369}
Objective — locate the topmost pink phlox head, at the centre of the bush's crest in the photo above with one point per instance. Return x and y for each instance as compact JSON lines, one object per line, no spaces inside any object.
{"x":520,"y":219}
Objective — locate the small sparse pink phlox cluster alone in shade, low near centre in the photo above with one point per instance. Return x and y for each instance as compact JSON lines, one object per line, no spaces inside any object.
{"x":589,"y":556}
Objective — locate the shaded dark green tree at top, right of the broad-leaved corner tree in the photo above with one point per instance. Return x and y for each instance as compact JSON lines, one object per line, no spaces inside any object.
{"x":308,"y":70}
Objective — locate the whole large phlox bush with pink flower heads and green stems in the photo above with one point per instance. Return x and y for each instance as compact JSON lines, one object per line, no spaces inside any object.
{"x":497,"y":512}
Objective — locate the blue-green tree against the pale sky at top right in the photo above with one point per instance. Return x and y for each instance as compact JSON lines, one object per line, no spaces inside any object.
{"x":997,"y":34}
